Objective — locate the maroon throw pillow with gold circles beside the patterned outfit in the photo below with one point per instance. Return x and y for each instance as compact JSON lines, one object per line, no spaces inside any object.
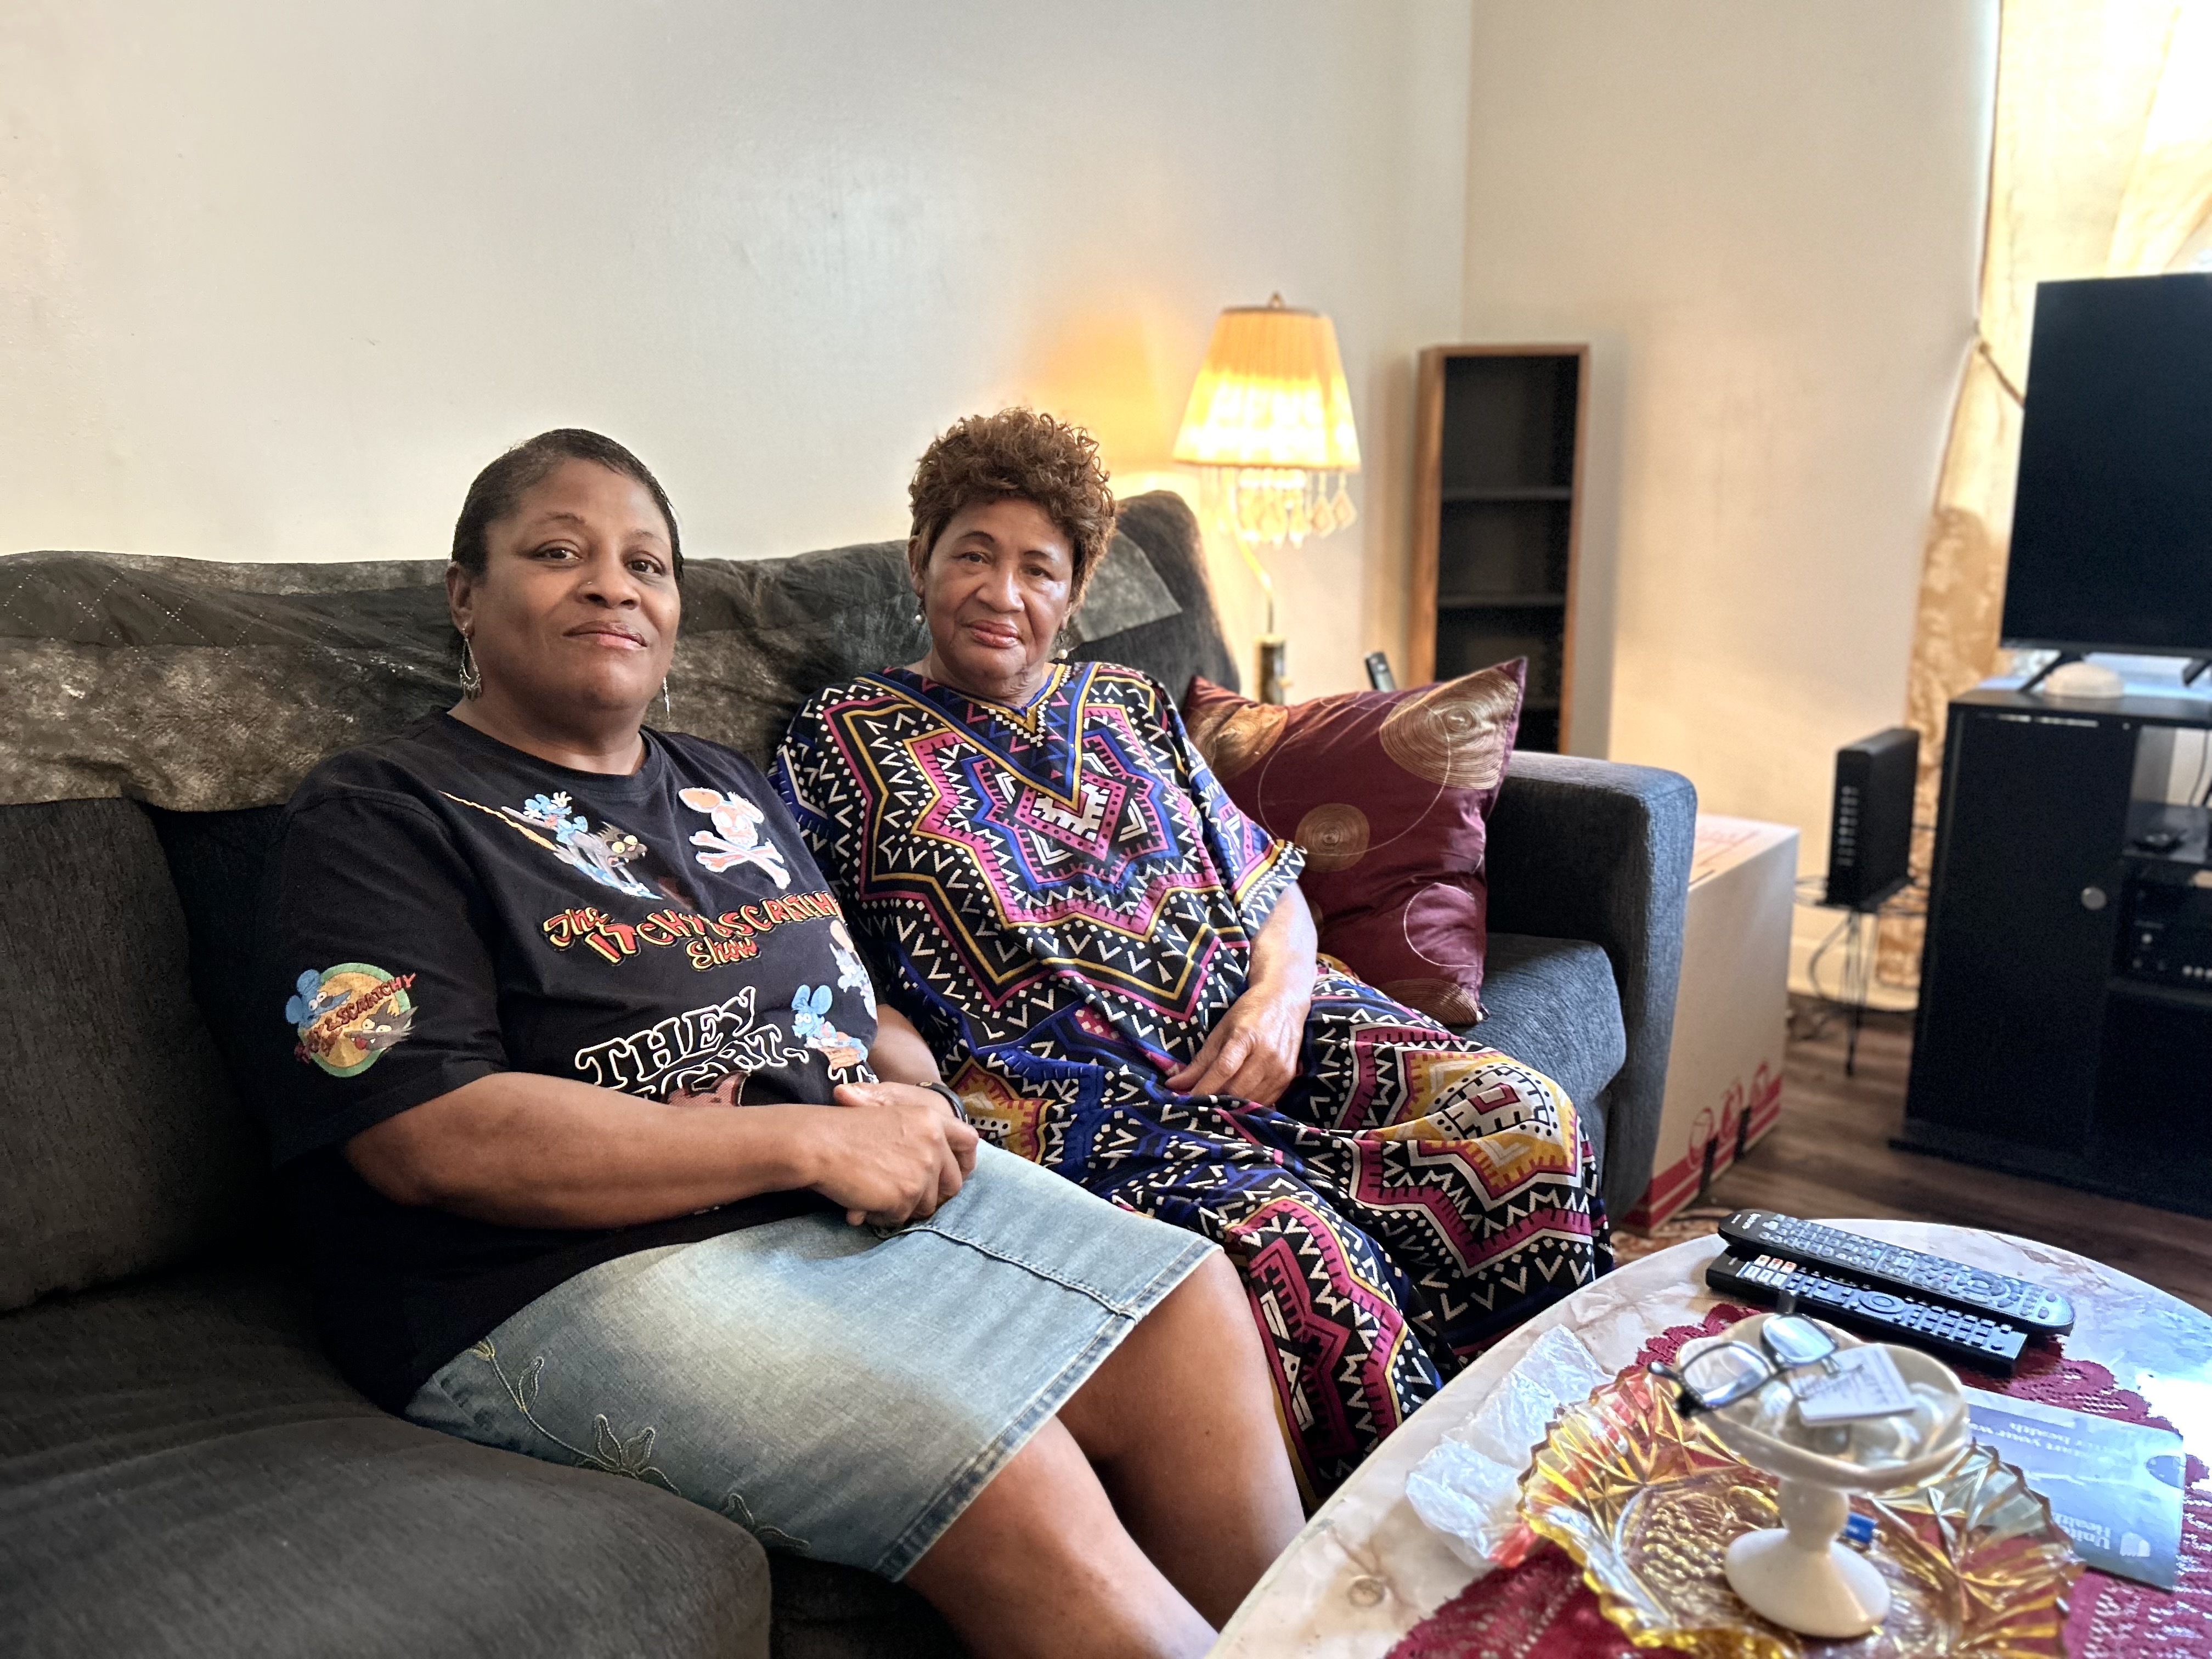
{"x":1390,"y":795}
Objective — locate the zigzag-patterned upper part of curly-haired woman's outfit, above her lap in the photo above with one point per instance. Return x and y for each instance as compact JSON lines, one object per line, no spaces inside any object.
{"x":994,"y":839}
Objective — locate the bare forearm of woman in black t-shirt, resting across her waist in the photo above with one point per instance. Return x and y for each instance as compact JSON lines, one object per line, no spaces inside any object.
{"x":534,"y":1151}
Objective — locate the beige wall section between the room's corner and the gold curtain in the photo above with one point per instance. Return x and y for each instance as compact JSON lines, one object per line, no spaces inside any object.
{"x":1766,"y":220}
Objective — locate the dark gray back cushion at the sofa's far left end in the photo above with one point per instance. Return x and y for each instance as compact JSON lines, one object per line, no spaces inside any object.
{"x":123,"y":1145}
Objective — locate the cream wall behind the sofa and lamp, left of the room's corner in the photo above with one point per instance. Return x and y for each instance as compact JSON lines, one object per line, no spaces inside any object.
{"x":278,"y":278}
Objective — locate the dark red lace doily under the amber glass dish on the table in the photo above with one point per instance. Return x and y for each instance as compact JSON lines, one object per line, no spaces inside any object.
{"x":1543,"y":1611}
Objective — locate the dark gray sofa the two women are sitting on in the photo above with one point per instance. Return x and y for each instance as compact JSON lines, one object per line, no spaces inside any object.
{"x":180,"y":1470}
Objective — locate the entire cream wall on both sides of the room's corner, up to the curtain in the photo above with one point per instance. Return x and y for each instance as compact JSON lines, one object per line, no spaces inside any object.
{"x":275,"y":280}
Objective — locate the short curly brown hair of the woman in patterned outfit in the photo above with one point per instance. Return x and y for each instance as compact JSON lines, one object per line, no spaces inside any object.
{"x":1016,"y":455}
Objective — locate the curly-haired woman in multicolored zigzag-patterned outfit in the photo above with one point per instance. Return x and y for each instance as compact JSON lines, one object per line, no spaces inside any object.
{"x":1118,"y":972}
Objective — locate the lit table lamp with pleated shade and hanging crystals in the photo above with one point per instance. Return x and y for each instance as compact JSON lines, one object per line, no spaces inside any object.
{"x":1271,"y":426}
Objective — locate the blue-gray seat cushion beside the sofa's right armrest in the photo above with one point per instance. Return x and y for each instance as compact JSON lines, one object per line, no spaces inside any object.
{"x":1554,"y":1005}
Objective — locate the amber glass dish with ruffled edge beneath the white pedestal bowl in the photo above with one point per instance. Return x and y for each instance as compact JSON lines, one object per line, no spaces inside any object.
{"x":1649,"y":1501}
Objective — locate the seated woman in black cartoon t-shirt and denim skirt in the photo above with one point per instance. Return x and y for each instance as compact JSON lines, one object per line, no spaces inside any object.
{"x":609,"y":1156}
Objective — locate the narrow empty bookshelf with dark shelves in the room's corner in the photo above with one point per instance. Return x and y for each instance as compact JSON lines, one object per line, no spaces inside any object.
{"x":1496,"y":521}
